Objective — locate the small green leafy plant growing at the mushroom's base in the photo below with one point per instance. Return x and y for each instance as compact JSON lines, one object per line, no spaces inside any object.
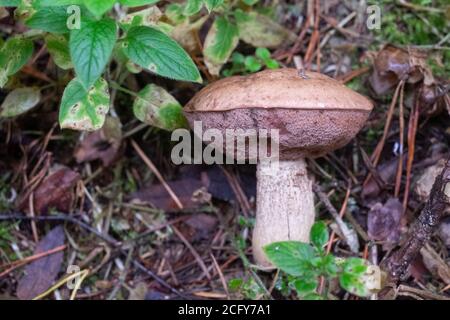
{"x":304,"y":264}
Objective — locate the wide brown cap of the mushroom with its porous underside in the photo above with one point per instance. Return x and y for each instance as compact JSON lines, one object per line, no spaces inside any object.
{"x":314,"y":115}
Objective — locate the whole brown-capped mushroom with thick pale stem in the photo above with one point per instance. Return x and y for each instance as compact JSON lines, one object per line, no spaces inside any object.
{"x":314,"y":114}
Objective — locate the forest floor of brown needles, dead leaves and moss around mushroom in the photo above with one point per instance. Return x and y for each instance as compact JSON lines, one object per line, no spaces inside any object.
{"x":97,"y":202}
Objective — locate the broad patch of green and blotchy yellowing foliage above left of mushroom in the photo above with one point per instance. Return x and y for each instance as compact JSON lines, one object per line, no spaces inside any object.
{"x":98,"y":43}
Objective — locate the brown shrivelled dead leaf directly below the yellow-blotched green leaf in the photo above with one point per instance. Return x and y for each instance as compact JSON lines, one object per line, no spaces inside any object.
{"x":104,"y":145}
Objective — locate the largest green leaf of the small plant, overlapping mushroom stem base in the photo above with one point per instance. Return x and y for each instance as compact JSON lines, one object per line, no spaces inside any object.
{"x":290,"y":256}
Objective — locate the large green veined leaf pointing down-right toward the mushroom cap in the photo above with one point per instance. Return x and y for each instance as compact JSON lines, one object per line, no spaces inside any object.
{"x":157,"y":52}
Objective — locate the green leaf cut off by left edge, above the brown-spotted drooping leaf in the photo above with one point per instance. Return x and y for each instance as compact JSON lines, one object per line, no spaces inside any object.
{"x":13,"y":56}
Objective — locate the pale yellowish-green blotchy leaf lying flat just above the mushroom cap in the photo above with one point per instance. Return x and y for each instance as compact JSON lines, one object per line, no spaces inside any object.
{"x":261,"y":31}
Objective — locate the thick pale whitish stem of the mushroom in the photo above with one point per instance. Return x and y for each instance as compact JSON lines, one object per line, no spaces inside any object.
{"x":284,"y":205}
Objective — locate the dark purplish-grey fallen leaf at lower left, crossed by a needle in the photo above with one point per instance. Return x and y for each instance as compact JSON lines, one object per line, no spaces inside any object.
{"x":40,"y":274}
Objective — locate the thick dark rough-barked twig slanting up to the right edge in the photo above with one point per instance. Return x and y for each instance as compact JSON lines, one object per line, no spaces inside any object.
{"x":397,"y":265}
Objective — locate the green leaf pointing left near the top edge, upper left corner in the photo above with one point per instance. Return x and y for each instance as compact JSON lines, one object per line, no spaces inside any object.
{"x":49,"y":19}
